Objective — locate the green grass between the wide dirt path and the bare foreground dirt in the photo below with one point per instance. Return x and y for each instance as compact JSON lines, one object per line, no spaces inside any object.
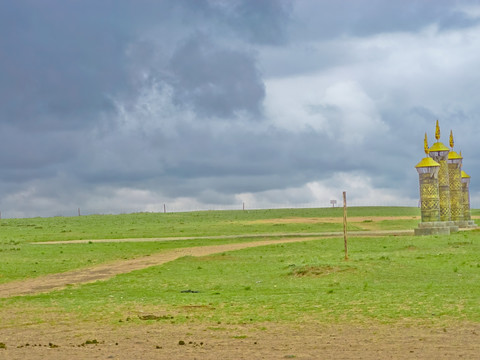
{"x":386,"y":279}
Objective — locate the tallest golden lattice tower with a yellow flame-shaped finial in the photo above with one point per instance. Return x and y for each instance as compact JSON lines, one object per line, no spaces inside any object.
{"x":439,"y":153}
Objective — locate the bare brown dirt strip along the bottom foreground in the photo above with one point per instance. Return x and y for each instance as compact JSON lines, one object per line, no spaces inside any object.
{"x":264,"y":341}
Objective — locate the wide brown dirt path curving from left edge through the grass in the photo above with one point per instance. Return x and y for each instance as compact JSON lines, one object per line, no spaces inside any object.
{"x":105,"y":271}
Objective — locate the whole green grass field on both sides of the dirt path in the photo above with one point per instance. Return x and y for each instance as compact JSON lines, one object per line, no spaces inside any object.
{"x":432,"y":279}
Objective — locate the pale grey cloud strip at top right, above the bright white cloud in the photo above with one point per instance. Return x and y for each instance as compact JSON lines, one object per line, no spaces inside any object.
{"x":326,"y":19}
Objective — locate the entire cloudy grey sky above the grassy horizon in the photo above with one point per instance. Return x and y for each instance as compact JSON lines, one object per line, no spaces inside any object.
{"x":119,"y":106}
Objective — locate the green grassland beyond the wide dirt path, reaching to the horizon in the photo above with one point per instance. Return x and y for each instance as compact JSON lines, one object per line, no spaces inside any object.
{"x":22,"y":258}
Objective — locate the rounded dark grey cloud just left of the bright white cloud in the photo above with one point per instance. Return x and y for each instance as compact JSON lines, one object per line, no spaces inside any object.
{"x":215,"y":81}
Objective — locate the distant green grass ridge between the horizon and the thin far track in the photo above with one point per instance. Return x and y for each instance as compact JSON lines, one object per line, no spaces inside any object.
{"x":196,"y":223}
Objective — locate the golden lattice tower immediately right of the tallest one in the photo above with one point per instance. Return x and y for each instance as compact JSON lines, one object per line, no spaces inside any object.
{"x":454,"y":162}
